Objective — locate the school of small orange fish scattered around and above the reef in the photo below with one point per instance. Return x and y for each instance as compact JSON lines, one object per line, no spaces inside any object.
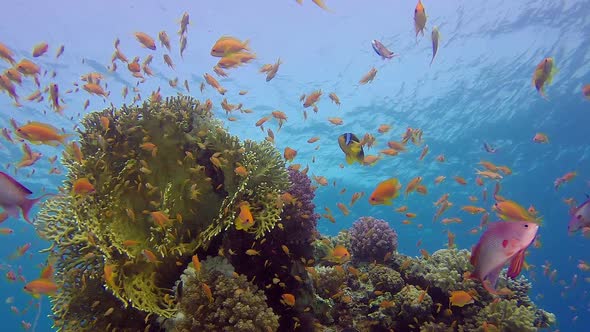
{"x":233,"y":53}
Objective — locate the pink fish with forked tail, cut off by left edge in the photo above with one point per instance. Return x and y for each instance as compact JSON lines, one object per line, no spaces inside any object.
{"x":13,"y":195}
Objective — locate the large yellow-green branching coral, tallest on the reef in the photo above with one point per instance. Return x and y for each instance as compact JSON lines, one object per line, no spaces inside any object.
{"x":165,"y":184}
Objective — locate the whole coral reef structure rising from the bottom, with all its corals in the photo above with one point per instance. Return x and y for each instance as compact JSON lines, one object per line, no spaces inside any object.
{"x":168,"y":182}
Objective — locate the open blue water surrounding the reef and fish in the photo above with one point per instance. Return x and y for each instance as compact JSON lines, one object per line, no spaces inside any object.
{"x":478,"y":89}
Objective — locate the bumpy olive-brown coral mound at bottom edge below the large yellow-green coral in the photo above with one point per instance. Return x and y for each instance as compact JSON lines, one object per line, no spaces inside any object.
{"x":235,"y":304}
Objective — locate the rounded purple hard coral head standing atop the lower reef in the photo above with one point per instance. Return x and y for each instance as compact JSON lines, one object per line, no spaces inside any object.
{"x":371,"y":239}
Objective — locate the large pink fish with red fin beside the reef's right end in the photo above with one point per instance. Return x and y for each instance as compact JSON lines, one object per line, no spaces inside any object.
{"x":502,"y":242}
